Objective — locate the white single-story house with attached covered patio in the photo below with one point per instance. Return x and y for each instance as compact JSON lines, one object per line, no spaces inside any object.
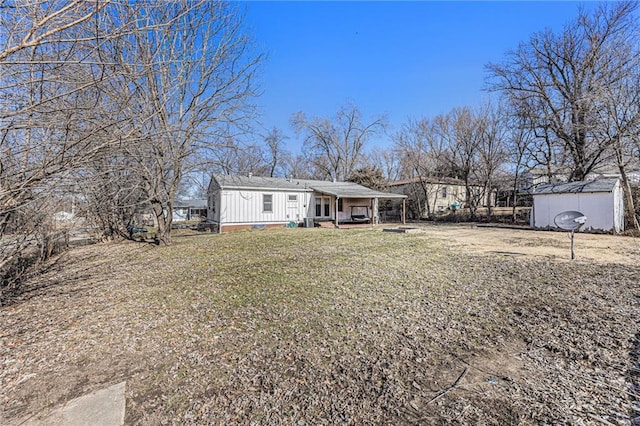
{"x":244,"y":202}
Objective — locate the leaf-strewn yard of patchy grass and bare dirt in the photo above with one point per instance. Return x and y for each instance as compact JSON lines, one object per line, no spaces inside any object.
{"x":453,"y":324}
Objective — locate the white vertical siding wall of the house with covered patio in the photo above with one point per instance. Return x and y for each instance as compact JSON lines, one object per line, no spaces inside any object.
{"x":236,"y":207}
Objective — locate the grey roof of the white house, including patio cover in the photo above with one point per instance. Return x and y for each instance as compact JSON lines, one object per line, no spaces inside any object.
{"x":337,"y":189}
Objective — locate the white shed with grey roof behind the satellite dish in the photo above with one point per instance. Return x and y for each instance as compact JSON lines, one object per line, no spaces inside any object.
{"x":601,"y":201}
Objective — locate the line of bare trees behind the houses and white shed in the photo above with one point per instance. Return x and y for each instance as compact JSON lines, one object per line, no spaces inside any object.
{"x":567,"y":103}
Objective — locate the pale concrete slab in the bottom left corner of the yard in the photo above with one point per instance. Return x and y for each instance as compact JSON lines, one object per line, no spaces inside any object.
{"x":104,"y":407}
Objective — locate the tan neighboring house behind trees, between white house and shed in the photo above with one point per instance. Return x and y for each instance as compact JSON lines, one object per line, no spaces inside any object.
{"x":431,"y":195}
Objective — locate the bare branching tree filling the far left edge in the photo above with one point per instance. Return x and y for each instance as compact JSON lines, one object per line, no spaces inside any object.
{"x":56,"y":112}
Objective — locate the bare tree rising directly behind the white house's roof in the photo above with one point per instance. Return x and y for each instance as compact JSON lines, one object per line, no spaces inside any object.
{"x":335,"y":147}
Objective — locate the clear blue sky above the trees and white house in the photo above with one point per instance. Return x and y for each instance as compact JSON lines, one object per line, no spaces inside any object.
{"x":403,"y":59}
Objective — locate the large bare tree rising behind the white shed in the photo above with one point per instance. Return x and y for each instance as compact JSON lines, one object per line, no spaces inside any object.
{"x":560,"y":76}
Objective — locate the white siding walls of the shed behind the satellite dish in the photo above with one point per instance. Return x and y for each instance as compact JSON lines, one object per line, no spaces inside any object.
{"x":604,"y":210}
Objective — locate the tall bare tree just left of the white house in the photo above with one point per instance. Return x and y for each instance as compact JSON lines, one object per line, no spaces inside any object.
{"x":192,"y":69}
